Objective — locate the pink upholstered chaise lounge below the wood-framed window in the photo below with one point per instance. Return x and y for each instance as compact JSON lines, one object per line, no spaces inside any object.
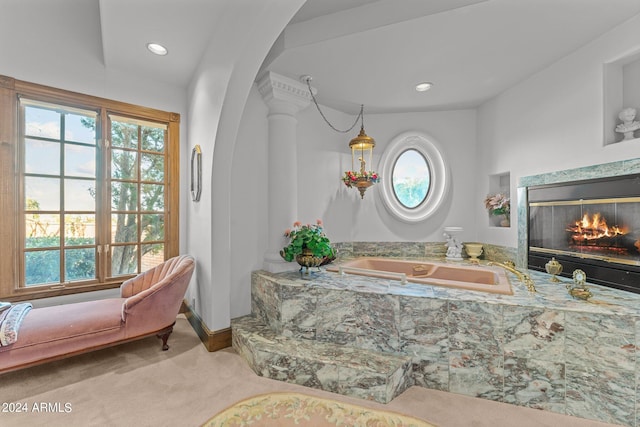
{"x":148,"y":305}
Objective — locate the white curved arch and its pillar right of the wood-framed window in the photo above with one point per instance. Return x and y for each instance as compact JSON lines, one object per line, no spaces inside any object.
{"x":217,"y":97}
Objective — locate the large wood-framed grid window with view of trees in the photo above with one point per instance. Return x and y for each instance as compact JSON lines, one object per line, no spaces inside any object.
{"x":92,"y":202}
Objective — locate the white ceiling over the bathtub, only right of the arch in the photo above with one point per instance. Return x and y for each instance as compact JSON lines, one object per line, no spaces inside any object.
{"x":471,"y":50}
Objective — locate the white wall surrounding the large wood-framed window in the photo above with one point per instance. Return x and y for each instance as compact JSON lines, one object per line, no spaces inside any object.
{"x":78,"y":67}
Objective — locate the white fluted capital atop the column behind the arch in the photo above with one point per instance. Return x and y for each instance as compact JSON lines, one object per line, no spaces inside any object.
{"x":282,"y":94}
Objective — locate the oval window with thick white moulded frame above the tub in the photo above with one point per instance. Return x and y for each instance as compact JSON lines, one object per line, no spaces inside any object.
{"x":414,"y":177}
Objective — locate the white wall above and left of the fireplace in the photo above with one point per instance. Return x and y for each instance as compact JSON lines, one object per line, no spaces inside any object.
{"x":550,"y":122}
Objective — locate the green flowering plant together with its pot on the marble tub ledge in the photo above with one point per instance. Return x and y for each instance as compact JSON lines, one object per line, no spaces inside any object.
{"x":309,"y":246}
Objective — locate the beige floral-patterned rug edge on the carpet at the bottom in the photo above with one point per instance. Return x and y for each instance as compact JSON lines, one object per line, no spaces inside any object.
{"x":295,"y":409}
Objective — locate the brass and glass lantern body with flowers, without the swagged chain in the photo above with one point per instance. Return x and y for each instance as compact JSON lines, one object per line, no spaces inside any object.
{"x":361,"y":151}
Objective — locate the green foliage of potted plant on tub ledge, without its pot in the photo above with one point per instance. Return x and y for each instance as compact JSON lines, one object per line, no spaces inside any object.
{"x":310,"y":237}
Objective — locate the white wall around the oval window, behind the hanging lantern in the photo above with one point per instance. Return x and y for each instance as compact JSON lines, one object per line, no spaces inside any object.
{"x":324,"y":156}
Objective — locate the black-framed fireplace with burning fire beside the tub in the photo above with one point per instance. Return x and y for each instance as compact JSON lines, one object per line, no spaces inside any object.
{"x":592,"y":225}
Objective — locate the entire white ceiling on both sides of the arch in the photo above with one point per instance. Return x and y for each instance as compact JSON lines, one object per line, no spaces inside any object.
{"x":370,"y":52}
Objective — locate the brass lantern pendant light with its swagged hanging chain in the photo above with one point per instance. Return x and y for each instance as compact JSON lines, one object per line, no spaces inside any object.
{"x":361,"y":150}
